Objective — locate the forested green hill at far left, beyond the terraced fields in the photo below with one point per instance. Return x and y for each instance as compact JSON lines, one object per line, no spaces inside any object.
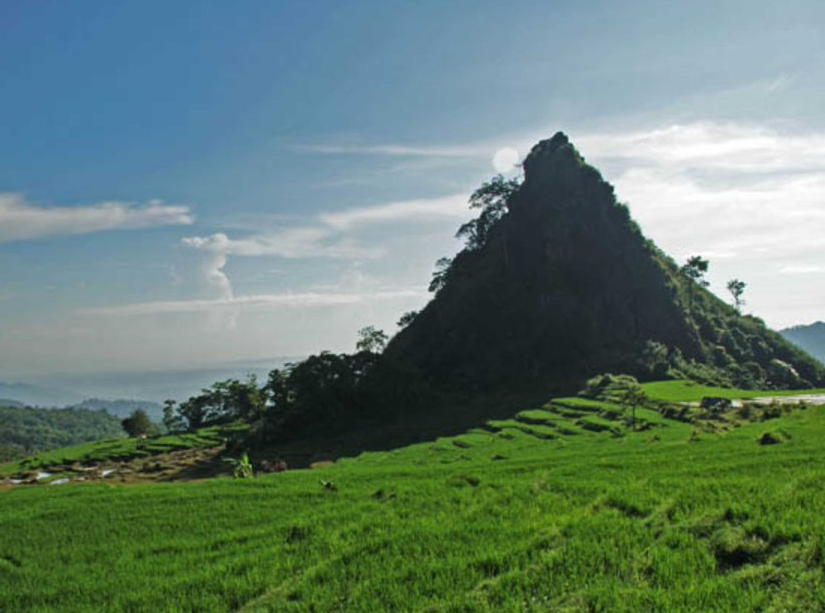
{"x":31,"y":430}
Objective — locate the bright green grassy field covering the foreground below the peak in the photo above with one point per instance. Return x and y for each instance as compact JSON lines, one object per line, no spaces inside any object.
{"x":497,"y":519}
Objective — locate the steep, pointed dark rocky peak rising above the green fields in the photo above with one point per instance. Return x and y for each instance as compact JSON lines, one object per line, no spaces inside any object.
{"x":565,"y":286}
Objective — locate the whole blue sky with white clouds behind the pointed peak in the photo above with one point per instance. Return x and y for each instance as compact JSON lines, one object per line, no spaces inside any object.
{"x":186,"y":184}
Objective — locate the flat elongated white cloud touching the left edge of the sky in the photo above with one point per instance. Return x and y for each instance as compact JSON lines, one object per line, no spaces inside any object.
{"x":21,"y":220}
